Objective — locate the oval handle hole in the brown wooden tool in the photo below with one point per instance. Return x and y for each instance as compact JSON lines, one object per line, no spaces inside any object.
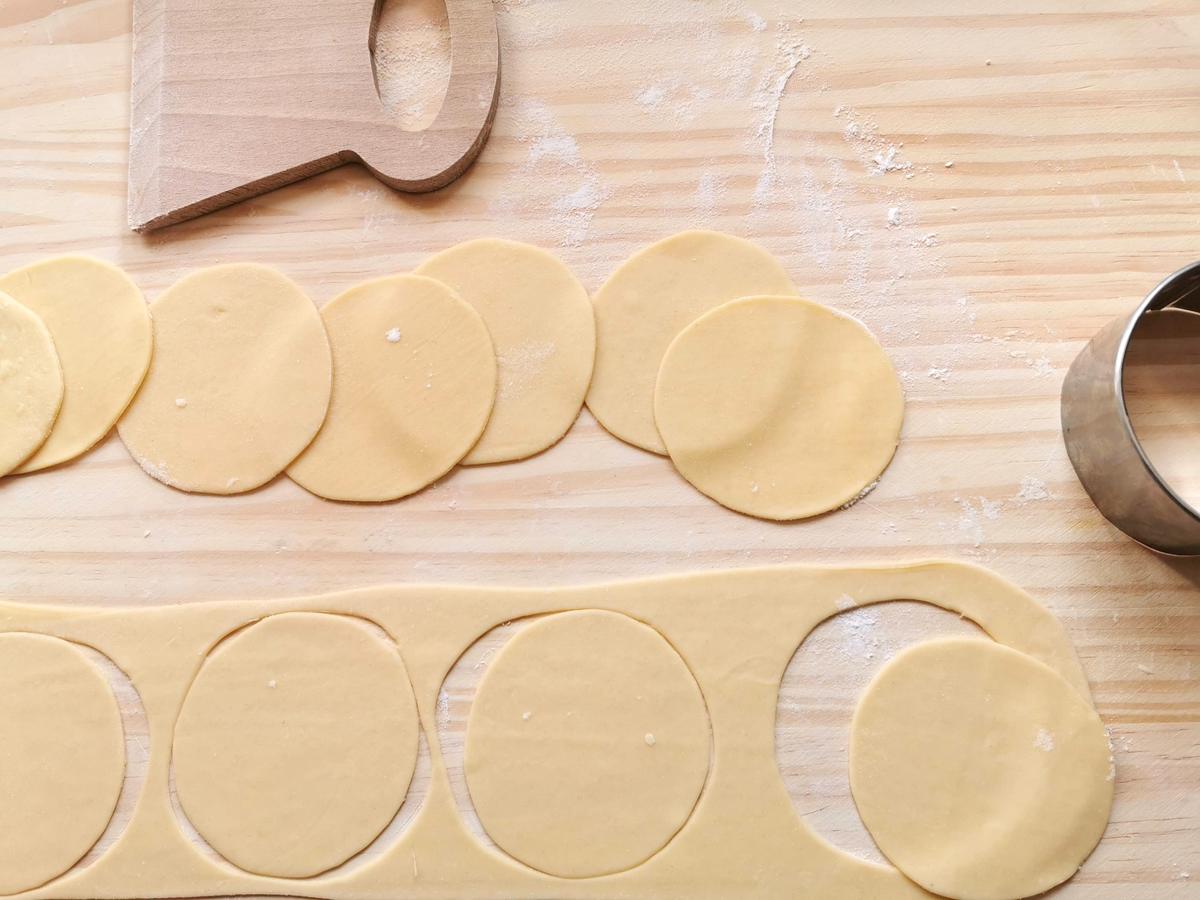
{"x":411,"y":57}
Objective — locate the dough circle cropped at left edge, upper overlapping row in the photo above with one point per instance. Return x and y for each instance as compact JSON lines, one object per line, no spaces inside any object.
{"x":31,"y":383}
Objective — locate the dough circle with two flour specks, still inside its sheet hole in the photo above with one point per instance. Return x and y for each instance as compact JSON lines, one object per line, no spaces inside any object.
{"x":587,"y":745}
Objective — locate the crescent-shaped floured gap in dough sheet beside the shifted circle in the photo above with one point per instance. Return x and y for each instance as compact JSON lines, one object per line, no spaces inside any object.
{"x":818,"y":699}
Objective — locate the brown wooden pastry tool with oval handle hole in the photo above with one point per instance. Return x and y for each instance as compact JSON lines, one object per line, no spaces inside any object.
{"x":231,"y":100}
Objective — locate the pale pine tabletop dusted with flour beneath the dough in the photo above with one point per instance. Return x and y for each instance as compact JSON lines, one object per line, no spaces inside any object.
{"x":985,"y":190}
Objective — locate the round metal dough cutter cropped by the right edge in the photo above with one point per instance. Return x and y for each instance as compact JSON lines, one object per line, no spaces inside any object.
{"x":1101,"y":441}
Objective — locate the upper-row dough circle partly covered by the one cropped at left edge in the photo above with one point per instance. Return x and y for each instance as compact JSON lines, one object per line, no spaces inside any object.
{"x":101,"y":331}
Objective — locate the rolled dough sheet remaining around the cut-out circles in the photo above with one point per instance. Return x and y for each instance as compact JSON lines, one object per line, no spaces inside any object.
{"x":706,"y":616}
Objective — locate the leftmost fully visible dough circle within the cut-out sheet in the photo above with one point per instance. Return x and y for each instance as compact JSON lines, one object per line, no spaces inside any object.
{"x":297,"y":743}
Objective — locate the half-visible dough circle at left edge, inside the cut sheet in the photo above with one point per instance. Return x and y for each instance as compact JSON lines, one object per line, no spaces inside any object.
{"x":62,"y":759}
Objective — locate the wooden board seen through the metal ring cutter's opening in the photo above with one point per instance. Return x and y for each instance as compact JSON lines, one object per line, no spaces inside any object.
{"x":1162,"y":392}
